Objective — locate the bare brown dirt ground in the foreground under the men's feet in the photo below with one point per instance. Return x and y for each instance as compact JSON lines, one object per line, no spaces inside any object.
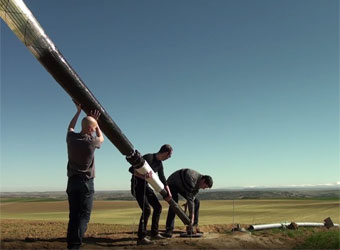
{"x":50,"y":235}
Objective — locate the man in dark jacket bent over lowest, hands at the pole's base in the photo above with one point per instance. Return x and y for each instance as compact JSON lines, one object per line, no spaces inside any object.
{"x":187,"y":183}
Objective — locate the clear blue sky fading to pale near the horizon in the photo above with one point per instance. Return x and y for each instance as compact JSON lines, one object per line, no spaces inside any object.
{"x":245,"y":91}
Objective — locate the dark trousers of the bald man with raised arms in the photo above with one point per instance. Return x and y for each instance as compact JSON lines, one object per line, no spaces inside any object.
{"x":80,"y":199}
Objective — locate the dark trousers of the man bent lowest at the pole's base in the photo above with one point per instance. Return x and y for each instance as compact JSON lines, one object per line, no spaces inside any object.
{"x":170,"y":220}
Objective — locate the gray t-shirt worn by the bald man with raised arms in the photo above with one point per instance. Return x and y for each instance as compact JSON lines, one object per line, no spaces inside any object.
{"x":80,"y":148}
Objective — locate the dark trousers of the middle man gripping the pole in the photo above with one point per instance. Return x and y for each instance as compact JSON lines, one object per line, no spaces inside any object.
{"x":145,"y":197}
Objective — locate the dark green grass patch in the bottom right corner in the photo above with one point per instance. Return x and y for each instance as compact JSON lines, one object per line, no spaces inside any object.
{"x":321,"y":240}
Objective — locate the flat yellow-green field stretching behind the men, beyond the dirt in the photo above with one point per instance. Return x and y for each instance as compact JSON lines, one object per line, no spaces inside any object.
{"x":211,"y":212}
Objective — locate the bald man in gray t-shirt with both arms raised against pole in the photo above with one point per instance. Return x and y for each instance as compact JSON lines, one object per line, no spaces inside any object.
{"x":81,"y":172}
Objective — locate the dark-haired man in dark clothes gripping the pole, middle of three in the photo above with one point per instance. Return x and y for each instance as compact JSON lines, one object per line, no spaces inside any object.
{"x":145,"y":196}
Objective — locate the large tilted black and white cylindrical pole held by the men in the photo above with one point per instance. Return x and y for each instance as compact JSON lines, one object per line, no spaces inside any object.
{"x":24,"y":25}
